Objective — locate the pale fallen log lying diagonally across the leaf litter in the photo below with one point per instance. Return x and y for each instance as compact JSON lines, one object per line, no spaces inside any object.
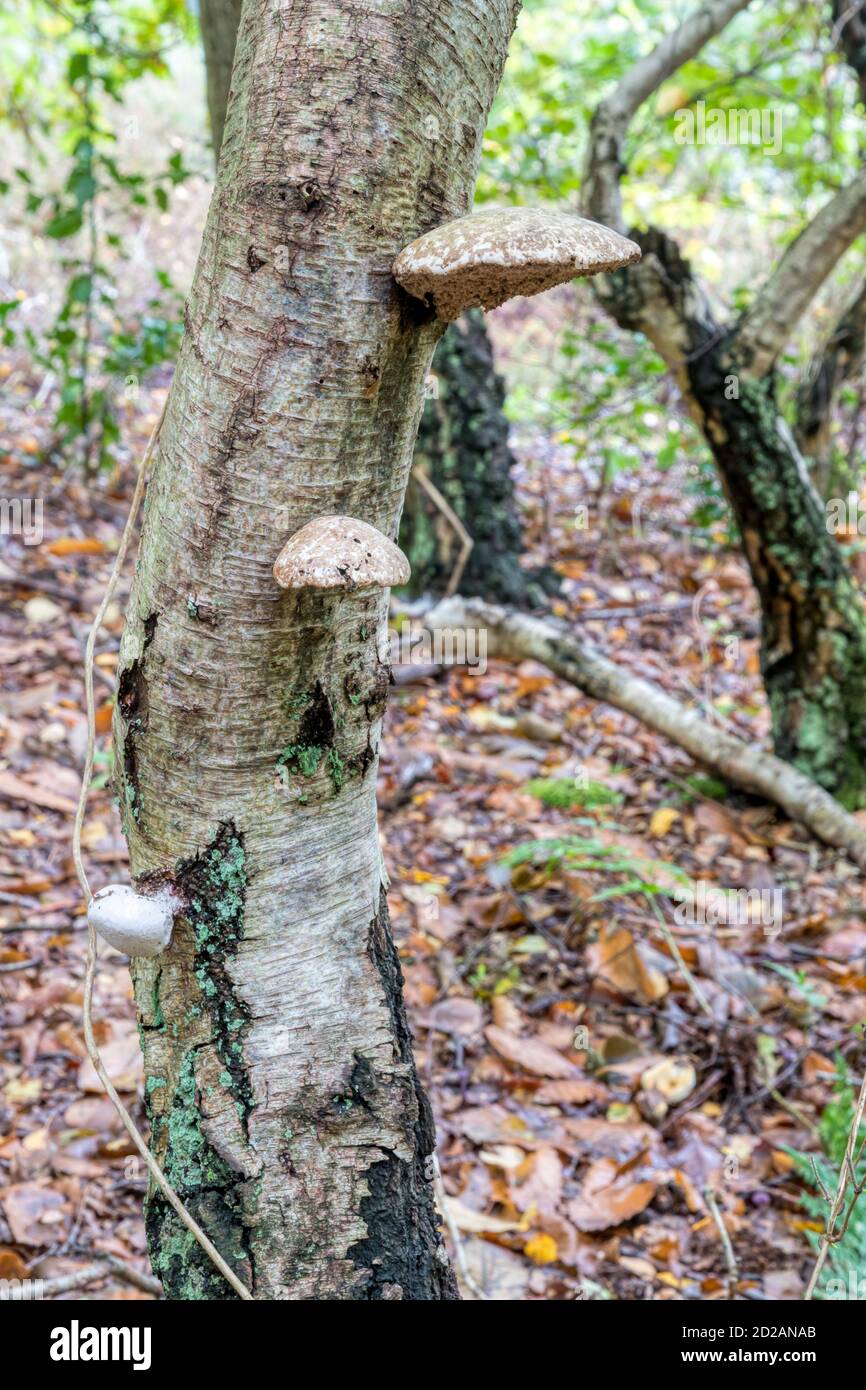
{"x":519,"y":637}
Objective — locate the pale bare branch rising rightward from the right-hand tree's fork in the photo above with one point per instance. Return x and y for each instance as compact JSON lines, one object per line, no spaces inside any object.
{"x":767,"y":327}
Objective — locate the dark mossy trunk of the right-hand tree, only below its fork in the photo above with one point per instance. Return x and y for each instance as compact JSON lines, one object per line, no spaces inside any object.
{"x":814,"y":628}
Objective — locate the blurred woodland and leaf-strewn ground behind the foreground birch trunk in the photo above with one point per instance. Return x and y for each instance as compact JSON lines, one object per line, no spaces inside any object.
{"x":536,"y":837}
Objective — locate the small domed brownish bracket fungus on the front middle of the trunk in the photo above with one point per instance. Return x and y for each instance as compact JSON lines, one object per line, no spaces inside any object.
{"x":340,"y":554}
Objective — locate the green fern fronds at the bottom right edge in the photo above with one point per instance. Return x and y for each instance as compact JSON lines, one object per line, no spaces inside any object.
{"x":847,"y":1259}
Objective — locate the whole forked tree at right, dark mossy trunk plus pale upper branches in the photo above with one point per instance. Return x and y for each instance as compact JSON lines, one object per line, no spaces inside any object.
{"x":814,"y":630}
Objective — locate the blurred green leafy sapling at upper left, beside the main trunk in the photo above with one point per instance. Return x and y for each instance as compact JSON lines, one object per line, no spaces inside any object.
{"x":65,"y":70}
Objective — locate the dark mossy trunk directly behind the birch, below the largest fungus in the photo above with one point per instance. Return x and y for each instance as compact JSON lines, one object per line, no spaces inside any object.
{"x":464,"y":450}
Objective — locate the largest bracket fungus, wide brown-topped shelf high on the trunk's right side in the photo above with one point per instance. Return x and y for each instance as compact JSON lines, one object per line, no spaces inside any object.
{"x":491,"y":256}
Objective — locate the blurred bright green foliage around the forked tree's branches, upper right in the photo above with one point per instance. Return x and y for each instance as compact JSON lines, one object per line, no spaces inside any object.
{"x":732,"y":206}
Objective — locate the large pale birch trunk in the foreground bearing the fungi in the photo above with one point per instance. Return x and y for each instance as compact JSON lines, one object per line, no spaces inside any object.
{"x":283,"y":1095}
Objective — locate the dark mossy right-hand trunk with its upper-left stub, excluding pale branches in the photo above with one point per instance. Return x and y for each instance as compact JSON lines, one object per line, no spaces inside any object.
{"x":814,"y":628}
